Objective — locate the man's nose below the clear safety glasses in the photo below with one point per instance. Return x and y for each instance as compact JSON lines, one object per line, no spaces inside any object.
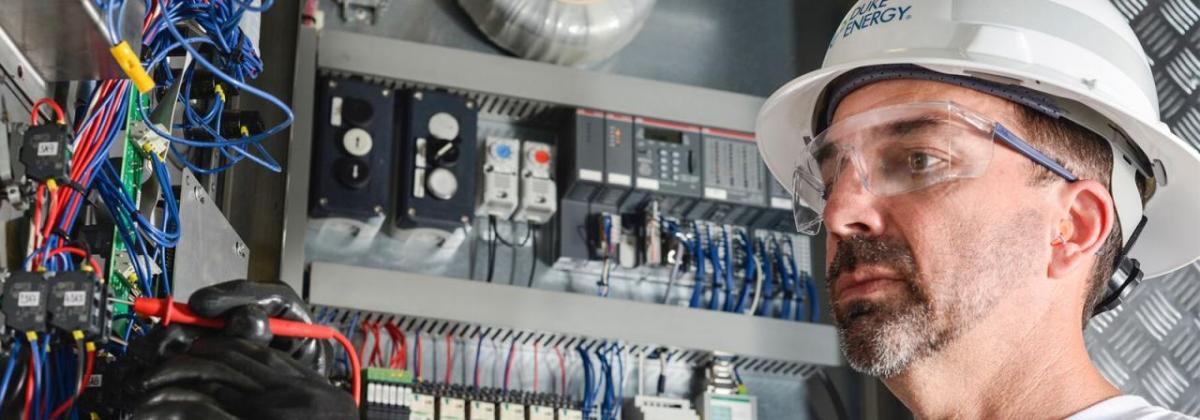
{"x":851,"y":211}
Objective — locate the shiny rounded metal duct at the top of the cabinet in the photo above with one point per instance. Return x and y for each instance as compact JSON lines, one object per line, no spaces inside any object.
{"x":572,"y":33}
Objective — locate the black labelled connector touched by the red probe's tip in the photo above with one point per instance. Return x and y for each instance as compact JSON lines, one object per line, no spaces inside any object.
{"x":79,"y":303}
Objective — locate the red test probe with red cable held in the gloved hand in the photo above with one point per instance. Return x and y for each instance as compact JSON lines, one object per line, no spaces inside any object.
{"x":171,"y":311}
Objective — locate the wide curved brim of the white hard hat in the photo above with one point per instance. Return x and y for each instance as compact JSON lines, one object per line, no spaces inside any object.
{"x":1172,"y":238}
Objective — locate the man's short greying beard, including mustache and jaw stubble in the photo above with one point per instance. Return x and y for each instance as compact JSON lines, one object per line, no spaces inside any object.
{"x":885,"y":338}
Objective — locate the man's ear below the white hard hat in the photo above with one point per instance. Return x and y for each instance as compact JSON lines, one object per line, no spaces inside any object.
{"x":1088,"y":219}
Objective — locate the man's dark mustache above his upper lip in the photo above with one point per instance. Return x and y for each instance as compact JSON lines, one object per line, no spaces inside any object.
{"x":857,"y":251}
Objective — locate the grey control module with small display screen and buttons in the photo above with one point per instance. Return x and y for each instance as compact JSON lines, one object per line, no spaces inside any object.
{"x":668,"y":160}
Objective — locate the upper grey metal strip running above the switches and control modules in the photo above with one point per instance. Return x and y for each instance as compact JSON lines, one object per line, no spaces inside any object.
{"x":424,"y":64}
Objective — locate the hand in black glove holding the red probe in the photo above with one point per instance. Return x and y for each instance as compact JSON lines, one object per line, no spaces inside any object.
{"x":187,"y":373}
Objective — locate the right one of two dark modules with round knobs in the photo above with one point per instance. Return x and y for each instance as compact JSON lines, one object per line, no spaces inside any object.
{"x":437,"y":181}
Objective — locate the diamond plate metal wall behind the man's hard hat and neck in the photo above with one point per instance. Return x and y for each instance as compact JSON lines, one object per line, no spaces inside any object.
{"x":1151,"y":345}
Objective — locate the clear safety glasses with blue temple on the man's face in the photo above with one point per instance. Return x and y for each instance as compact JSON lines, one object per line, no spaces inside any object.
{"x":901,"y":149}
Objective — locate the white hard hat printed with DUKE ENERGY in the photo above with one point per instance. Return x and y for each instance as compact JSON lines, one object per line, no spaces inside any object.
{"x":1079,"y":53}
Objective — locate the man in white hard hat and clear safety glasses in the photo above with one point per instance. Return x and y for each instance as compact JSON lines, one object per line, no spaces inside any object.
{"x":991,"y":175}
